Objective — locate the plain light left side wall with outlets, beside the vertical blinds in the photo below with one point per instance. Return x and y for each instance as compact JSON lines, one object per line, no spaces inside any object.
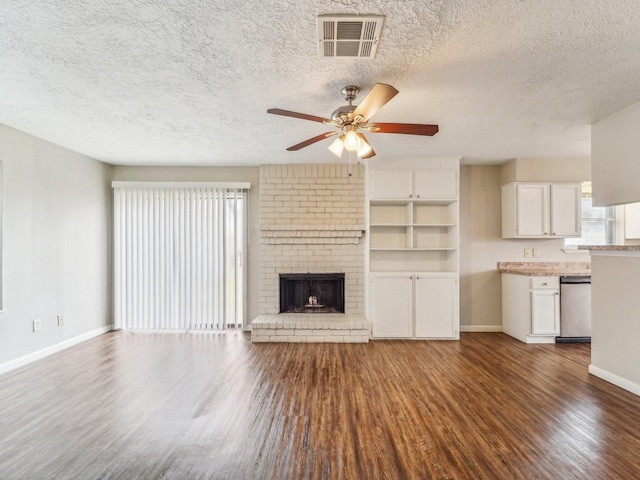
{"x":56,"y":249}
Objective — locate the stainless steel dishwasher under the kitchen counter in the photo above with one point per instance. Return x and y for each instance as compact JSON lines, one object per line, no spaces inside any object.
{"x":575,"y":310}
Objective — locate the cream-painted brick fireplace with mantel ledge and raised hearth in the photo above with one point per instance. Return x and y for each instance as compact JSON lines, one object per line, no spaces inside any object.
{"x":312,"y":221}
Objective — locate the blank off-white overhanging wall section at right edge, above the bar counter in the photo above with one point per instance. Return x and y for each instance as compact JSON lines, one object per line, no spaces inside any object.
{"x":615,"y":157}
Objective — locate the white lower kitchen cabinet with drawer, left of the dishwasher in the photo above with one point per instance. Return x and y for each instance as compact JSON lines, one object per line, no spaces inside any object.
{"x":531,"y":307}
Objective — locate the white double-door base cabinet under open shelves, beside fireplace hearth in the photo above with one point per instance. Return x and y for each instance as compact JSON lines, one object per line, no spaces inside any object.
{"x":415,"y":305}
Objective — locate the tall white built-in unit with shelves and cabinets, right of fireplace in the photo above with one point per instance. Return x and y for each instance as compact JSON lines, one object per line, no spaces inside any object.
{"x":413,"y":252}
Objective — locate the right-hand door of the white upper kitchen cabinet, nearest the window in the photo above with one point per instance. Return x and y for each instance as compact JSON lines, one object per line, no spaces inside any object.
{"x":566,"y":215}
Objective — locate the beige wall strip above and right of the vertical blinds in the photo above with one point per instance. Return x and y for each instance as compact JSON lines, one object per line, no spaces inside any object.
{"x":213,"y":174}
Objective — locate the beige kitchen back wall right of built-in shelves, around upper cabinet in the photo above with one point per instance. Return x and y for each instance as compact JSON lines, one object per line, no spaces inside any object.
{"x":482,"y":246}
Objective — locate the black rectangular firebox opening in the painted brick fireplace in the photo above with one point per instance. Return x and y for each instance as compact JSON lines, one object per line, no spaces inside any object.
{"x":312,"y":293}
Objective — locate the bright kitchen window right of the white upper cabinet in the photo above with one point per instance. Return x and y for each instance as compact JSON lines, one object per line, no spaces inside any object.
{"x":599,"y":224}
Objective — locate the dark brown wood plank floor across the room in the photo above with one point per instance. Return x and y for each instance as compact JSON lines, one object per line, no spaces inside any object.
{"x":209,"y":406}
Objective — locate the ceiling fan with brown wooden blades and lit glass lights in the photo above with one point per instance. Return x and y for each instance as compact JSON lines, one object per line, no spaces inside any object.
{"x":351,"y":120}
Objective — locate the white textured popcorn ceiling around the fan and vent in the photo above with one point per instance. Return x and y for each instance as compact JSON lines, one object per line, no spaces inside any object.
{"x":189,"y":81}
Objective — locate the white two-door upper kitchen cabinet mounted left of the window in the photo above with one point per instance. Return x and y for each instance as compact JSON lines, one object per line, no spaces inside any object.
{"x":541,"y":210}
